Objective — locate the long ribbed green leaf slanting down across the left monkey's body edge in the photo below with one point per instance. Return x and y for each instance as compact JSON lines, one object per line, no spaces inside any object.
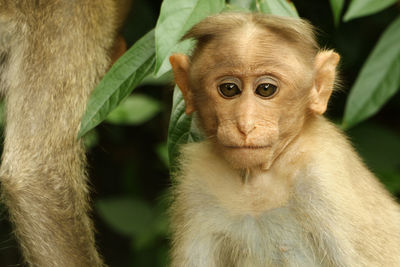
{"x":123,"y":77}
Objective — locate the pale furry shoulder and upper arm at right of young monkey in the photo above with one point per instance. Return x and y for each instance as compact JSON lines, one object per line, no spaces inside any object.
{"x":347,"y":210}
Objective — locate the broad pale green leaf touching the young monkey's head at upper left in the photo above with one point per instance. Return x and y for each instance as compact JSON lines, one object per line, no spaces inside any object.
{"x":177,"y":17}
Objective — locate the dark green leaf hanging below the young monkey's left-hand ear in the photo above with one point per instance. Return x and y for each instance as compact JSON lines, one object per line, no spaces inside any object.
{"x":182,"y":128}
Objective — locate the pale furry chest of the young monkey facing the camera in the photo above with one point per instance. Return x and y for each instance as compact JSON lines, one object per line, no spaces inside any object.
{"x":225,"y":228}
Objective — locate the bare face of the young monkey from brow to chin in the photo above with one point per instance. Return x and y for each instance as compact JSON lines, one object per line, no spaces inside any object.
{"x":250,"y":116}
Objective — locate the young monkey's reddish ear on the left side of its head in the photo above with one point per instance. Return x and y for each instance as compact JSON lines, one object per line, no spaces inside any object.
{"x":180,"y":67}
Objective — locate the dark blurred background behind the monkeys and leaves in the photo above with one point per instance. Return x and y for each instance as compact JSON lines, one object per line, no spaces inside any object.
{"x":127,"y":164}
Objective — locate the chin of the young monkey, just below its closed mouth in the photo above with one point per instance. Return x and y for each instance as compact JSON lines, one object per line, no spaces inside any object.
{"x":248,"y":157}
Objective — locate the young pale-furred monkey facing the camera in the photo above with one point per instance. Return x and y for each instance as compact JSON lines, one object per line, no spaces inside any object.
{"x":274,"y":183}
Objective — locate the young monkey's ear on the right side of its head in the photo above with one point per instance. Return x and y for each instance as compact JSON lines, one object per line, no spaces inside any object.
{"x":324,"y":78}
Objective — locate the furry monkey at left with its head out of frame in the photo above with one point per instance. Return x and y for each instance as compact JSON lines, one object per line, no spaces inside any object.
{"x":52,"y":54}
